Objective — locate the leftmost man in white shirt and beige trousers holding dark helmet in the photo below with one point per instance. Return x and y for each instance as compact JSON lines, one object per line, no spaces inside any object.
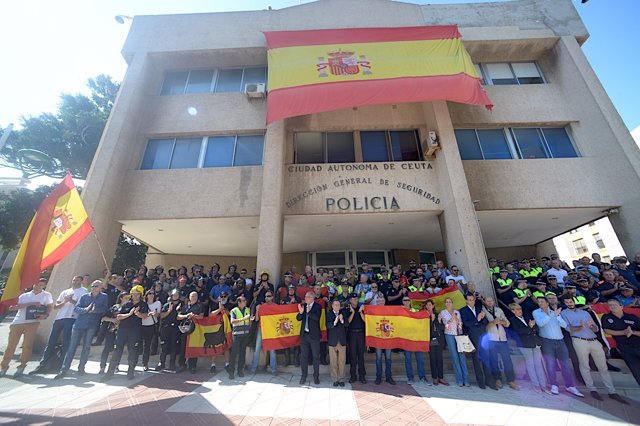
{"x":32,"y":307}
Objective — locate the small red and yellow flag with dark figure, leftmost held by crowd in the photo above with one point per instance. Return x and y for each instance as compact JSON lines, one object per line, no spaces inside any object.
{"x":212,"y":336}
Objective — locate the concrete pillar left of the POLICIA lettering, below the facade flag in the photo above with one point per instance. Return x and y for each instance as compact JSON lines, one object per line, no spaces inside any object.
{"x":270,"y":232}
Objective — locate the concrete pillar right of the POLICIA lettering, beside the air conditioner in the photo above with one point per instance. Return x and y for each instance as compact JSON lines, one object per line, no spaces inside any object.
{"x":458,"y":222}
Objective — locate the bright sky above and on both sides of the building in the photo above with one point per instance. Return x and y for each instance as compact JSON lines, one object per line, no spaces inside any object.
{"x":49,"y":47}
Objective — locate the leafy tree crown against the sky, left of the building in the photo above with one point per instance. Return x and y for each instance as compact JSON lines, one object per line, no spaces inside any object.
{"x":70,"y":136}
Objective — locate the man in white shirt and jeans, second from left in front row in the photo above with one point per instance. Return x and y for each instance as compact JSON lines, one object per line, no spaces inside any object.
{"x":63,"y":324}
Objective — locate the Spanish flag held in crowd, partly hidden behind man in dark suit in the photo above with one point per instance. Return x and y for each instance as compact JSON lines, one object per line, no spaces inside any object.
{"x":280,"y":328}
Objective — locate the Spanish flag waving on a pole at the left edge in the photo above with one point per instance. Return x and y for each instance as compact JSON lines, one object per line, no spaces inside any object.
{"x":59,"y":225}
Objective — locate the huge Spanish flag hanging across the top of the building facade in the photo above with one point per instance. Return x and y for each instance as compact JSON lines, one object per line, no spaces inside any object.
{"x":325,"y":70}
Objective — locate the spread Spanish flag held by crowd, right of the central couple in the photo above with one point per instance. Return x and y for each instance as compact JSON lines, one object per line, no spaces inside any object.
{"x":394,"y":327}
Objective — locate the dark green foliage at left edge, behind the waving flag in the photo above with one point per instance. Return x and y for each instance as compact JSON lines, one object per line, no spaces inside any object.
{"x":16,"y":211}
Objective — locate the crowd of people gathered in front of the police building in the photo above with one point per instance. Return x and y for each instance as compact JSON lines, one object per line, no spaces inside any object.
{"x":543,"y":309}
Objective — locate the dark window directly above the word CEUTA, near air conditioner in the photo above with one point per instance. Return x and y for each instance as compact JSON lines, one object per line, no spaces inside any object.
{"x":390,"y":146}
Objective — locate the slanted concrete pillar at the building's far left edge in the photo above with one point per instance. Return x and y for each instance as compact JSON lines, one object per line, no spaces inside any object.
{"x":100,"y":191}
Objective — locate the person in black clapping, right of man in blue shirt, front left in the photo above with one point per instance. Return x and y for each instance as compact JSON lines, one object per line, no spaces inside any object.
{"x":129,"y":332}
